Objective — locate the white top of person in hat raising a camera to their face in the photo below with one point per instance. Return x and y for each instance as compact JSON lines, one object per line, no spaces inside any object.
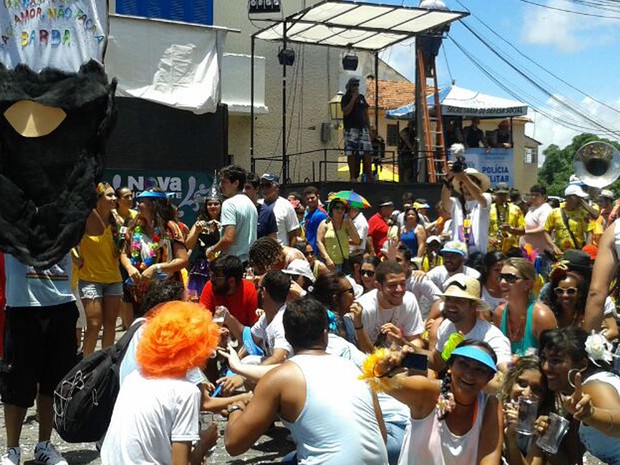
{"x":480,"y":220}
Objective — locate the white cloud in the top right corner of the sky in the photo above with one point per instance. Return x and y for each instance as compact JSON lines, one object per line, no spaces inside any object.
{"x":567,"y":32}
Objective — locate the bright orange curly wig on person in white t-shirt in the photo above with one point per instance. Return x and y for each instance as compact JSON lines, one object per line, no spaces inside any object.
{"x":177,"y":337}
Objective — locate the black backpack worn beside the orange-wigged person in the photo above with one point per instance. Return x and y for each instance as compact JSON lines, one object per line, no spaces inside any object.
{"x":84,"y":399}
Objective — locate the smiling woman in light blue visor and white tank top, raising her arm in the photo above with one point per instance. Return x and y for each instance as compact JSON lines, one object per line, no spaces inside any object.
{"x":452,"y":420}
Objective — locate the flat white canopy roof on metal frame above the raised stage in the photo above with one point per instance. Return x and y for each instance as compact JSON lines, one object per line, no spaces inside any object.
{"x":357,"y":25}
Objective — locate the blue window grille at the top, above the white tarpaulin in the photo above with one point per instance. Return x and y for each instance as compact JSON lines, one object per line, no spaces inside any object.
{"x":189,"y":11}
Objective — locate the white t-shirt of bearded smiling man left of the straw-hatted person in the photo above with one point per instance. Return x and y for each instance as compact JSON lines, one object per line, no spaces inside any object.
{"x":406,"y":316}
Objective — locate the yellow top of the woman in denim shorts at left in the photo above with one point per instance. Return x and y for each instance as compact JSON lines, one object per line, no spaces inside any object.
{"x":101,"y":262}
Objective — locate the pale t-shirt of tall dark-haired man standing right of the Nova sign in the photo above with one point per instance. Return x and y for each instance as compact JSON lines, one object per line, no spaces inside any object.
{"x":239,"y":211}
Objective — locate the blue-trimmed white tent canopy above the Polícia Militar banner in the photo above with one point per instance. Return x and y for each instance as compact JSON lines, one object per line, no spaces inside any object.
{"x":458,"y":101}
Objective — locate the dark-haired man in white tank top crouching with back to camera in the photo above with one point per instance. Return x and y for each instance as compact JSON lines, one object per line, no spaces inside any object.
{"x":332,"y":415}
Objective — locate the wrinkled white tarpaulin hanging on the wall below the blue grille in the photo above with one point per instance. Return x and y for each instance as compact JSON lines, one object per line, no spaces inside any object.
{"x":174,"y":64}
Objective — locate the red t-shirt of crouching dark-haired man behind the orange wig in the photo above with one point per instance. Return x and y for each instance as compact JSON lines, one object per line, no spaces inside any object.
{"x":242,"y":304}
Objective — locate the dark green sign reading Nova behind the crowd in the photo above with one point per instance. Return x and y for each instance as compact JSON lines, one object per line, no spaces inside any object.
{"x":186,"y":188}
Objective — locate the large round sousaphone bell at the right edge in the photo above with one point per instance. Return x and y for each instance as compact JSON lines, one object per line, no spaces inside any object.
{"x":597,"y":164}
